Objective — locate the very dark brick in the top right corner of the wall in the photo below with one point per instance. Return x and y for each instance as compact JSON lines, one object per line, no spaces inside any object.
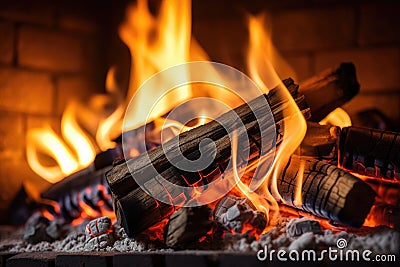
{"x":379,"y":24}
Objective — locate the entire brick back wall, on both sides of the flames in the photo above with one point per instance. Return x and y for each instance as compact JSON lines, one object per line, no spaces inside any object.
{"x":53,"y":51}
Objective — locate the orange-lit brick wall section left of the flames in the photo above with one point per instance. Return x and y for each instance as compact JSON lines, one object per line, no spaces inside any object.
{"x":50,"y":52}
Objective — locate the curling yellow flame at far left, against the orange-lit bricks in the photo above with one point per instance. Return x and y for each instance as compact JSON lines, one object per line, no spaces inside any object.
{"x":76,"y":148}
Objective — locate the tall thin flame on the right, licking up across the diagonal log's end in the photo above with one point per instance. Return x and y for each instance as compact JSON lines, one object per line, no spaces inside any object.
{"x":263,"y":61}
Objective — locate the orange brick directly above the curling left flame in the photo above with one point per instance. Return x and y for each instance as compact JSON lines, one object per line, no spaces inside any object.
{"x":74,"y":88}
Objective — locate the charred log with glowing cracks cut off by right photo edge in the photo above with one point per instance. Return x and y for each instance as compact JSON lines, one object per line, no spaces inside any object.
{"x":370,"y":152}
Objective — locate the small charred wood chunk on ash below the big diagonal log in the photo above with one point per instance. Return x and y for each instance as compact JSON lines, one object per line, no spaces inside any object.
{"x":187,"y":225}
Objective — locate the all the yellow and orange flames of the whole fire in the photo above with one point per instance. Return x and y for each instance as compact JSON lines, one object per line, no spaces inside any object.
{"x":156,"y":43}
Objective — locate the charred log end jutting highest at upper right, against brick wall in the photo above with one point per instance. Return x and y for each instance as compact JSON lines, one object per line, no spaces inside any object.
{"x":330,"y":89}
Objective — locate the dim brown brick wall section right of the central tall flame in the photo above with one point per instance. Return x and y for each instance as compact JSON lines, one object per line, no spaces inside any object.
{"x":314,"y":35}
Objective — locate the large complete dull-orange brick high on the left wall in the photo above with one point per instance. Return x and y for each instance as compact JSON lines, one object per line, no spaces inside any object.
{"x":54,"y":51}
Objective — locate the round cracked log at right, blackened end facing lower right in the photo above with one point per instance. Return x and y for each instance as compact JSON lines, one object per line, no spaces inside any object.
{"x":326,"y":191}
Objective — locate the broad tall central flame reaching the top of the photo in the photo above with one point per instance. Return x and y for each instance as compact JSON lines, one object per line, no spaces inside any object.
{"x":156,"y":43}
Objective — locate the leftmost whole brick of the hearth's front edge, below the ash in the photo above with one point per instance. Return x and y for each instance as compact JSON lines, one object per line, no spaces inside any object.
{"x":42,"y":259}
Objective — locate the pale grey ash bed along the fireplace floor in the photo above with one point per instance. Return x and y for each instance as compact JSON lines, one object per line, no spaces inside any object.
{"x":378,"y":240}
